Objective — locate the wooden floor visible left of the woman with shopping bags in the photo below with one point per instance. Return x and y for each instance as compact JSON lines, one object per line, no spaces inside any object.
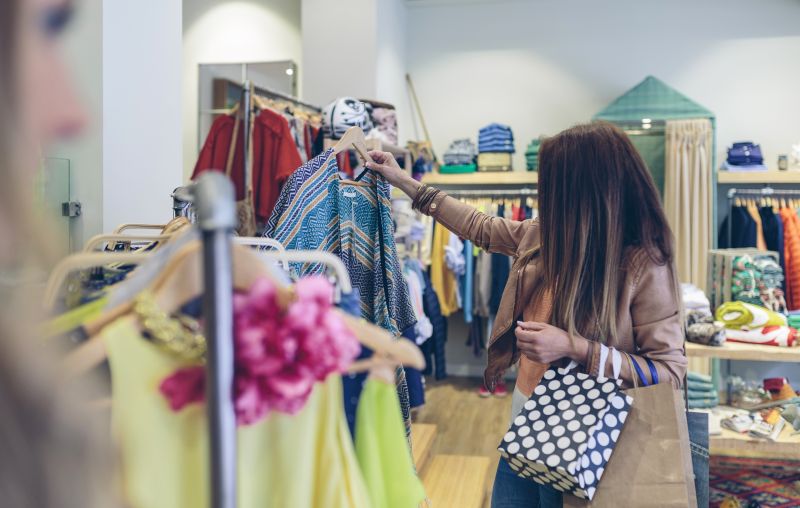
{"x":466,"y":423}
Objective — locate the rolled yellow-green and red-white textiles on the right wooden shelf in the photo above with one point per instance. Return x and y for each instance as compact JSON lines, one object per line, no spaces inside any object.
{"x":752,"y":324}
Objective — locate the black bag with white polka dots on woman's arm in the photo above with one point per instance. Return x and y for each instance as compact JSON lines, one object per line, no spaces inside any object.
{"x":566,"y":431}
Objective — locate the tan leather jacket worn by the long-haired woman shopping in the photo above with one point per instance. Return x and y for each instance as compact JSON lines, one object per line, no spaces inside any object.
{"x":649,"y":324}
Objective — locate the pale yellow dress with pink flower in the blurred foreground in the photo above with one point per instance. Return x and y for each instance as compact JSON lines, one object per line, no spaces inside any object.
{"x":301,"y":461}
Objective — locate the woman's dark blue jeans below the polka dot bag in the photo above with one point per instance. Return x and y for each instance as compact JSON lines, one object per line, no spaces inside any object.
{"x":511,"y":491}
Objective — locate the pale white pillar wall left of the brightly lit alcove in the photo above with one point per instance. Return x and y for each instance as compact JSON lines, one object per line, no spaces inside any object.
{"x":141,"y":110}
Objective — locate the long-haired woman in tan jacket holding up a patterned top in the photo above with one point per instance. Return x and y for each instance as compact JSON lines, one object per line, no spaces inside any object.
{"x":597,"y":268}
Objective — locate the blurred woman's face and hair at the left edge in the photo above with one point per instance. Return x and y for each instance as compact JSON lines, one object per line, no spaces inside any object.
{"x":51,"y":450}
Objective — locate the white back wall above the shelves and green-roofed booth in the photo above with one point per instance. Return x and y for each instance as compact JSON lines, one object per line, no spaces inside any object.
{"x":541,"y":66}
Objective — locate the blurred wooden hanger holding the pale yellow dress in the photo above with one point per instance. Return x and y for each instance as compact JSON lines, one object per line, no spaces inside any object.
{"x":181,"y":281}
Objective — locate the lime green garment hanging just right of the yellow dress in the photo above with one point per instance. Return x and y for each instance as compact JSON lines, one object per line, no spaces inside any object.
{"x":382,"y":449}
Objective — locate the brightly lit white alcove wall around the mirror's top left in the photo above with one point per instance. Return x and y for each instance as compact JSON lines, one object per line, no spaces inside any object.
{"x":216,"y":31}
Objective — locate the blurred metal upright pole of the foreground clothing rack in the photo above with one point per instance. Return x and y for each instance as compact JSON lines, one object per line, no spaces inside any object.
{"x":215,"y":199}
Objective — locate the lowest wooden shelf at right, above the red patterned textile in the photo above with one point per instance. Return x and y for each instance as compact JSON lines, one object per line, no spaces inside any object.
{"x":741,"y":445}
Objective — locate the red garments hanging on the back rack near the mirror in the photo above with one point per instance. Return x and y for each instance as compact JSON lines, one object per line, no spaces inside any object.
{"x":275,"y":157}
